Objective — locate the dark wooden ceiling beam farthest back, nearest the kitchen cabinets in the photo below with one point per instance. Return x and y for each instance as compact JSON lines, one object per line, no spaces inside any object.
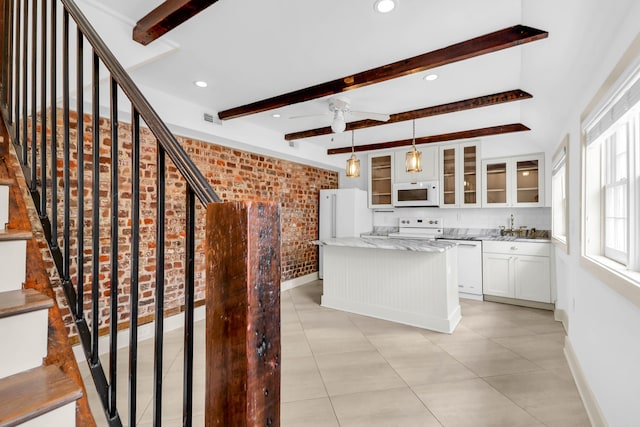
{"x":472,"y":133}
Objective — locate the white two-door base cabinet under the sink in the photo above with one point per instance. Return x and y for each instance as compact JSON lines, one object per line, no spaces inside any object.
{"x":518,"y":270}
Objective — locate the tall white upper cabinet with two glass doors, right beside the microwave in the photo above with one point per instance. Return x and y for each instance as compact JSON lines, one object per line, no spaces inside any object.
{"x":460,"y":175}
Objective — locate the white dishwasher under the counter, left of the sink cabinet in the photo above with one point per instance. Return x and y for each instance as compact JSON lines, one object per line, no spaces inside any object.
{"x":469,"y":268}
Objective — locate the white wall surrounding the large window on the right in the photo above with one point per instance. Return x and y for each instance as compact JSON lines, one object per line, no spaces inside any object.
{"x":604,"y":327}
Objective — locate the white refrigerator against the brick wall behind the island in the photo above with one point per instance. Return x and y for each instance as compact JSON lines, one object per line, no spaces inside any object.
{"x":343,"y":213}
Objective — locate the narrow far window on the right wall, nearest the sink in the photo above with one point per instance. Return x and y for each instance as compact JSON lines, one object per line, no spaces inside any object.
{"x":559,"y":195}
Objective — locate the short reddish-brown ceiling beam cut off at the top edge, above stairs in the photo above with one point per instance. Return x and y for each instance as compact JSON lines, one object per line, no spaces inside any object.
{"x":166,"y":17}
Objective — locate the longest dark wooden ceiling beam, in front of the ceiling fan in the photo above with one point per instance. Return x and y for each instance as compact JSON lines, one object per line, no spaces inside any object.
{"x":492,"y":42}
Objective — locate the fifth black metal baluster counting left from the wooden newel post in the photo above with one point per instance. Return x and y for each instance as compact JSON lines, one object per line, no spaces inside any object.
{"x":95,"y":208}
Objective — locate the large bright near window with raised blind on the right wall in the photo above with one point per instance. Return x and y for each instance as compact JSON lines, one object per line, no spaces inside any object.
{"x":611,"y":179}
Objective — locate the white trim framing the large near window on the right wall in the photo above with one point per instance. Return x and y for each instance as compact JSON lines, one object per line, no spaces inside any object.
{"x":618,"y":278}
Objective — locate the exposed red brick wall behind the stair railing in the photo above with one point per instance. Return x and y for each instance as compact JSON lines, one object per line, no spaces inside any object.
{"x":234,"y":174}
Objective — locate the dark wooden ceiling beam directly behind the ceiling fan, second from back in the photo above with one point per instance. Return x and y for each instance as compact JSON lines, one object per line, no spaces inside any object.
{"x":452,"y":107}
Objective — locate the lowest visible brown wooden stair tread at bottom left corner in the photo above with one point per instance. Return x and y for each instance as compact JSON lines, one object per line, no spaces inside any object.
{"x":35,"y":392}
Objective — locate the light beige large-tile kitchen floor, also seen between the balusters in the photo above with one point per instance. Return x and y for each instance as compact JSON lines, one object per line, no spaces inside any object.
{"x":503,"y":366}
